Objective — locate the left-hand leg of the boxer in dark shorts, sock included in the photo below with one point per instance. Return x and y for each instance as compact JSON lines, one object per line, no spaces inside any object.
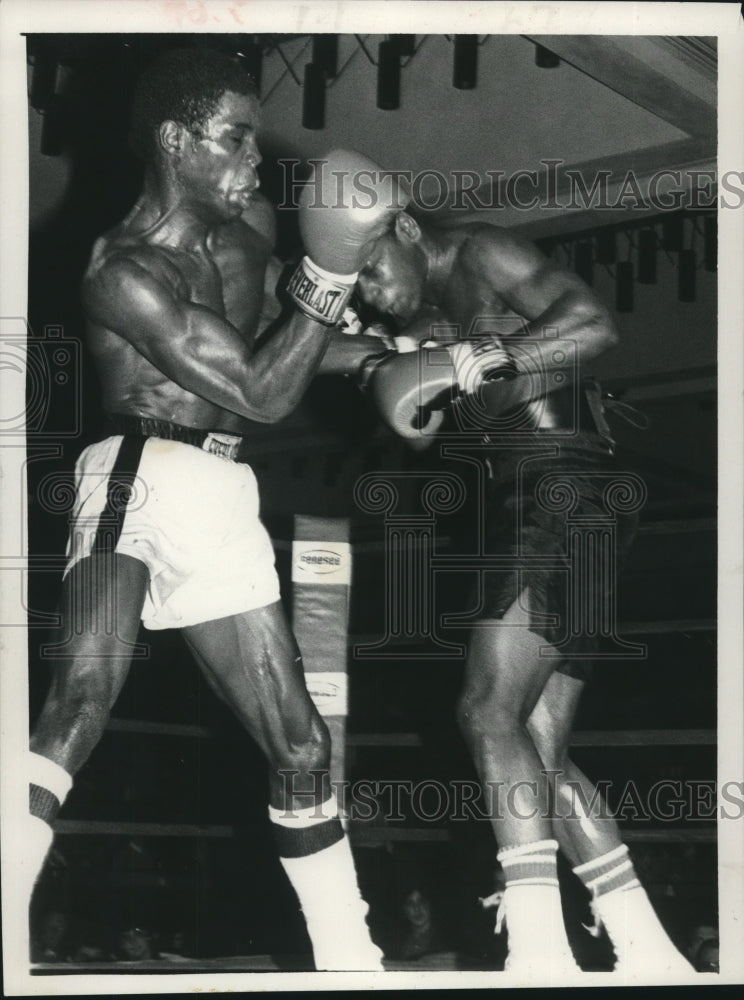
{"x":505,"y":675}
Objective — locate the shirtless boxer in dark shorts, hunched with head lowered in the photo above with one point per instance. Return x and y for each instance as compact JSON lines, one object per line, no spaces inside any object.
{"x":521,"y":693}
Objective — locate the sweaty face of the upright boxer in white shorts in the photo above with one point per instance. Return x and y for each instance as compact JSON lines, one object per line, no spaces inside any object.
{"x":218,"y":166}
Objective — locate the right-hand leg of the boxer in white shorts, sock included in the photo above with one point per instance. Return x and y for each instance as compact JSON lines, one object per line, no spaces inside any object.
{"x":253,"y":658}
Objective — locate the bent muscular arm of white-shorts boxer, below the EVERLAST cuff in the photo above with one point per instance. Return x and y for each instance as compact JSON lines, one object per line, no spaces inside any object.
{"x":198,"y":350}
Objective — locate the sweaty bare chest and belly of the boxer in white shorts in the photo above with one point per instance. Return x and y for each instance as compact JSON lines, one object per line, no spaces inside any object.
{"x":226,"y":276}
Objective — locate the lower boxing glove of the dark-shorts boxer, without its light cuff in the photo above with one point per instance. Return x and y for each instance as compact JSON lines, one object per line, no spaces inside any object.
{"x":411,"y":390}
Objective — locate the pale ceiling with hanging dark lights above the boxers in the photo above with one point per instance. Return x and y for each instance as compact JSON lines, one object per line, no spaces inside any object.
{"x":614,"y":103}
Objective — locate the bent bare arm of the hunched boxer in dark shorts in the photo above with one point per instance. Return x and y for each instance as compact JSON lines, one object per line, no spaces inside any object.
{"x":556,"y":303}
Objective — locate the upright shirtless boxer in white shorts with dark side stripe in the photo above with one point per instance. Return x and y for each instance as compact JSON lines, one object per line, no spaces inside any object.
{"x":166,"y":525}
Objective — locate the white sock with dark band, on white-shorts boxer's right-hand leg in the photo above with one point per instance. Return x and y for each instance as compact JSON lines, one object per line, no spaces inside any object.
{"x":315,"y":854}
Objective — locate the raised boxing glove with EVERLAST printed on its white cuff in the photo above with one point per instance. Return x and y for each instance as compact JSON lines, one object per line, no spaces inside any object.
{"x":347,"y":204}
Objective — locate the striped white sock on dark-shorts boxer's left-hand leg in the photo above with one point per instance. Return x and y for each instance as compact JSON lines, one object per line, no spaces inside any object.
{"x":538,"y":944}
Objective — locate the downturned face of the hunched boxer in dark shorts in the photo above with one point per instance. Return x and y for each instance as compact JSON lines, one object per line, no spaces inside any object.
{"x":392,"y":278}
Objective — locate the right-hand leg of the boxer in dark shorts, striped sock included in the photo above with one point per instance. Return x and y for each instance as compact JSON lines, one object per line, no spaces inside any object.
{"x":591,"y":840}
